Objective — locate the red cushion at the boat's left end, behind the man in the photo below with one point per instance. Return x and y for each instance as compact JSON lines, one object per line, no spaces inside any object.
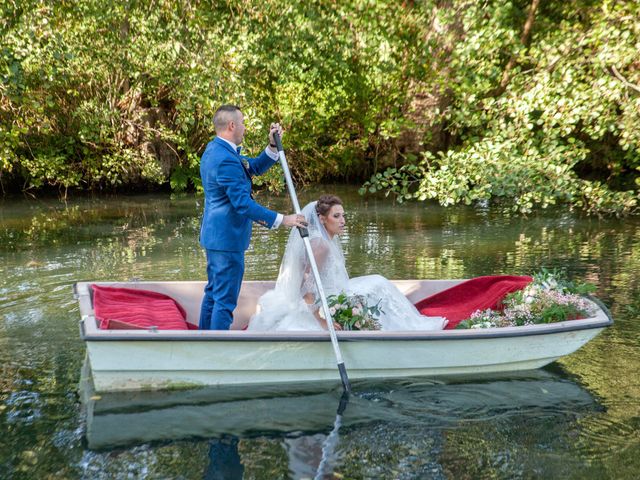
{"x":126,"y":308}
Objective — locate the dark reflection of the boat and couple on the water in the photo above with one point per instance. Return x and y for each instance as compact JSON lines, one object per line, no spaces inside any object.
{"x":304,"y":415}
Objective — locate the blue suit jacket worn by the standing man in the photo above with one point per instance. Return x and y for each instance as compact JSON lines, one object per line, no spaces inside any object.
{"x":229,"y":208}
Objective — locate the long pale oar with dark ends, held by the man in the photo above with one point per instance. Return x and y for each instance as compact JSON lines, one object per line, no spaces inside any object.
{"x":304,"y":233}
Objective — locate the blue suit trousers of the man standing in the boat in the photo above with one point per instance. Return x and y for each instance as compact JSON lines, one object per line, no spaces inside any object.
{"x":224,"y":278}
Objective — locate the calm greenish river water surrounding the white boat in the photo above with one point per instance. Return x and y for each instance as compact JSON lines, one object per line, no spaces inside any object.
{"x":578,"y":418}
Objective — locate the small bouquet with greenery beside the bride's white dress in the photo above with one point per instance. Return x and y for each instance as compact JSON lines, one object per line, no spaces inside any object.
{"x":352,"y":312}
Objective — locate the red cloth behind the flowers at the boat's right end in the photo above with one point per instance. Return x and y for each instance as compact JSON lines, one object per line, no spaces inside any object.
{"x":459,"y":302}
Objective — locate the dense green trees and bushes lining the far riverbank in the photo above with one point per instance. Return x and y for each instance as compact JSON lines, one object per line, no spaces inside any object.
{"x":532,"y":103}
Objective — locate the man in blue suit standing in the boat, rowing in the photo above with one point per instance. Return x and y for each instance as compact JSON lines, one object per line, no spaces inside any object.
{"x":229,"y":210}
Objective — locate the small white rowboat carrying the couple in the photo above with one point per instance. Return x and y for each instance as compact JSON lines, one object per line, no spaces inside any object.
{"x":151,"y":359}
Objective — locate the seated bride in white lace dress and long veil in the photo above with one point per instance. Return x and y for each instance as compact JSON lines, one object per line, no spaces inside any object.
{"x":293,"y":304}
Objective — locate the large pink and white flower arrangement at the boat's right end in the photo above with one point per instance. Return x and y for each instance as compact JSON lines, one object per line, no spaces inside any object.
{"x":548,"y":298}
